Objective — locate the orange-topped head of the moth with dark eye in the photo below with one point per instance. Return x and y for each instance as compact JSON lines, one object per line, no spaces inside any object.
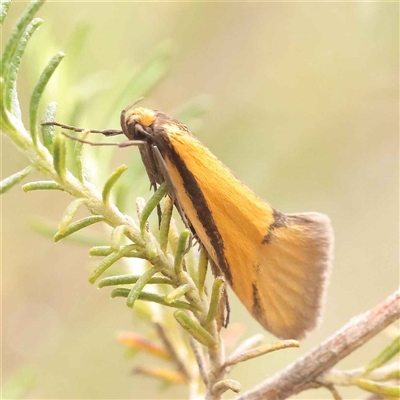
{"x":136,"y":124}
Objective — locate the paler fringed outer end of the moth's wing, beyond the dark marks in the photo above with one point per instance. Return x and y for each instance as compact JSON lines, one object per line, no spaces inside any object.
{"x":294,"y":266}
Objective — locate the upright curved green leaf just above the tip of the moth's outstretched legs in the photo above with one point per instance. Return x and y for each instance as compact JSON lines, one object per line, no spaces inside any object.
{"x":38,"y":92}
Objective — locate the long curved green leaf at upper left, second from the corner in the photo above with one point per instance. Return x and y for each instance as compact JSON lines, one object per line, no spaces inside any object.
{"x":11,"y":78}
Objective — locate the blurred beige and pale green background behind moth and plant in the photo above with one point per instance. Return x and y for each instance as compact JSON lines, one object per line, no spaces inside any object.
{"x":303,"y":108}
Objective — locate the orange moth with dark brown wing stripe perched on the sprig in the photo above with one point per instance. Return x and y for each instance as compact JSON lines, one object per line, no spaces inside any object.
{"x":277,"y":264}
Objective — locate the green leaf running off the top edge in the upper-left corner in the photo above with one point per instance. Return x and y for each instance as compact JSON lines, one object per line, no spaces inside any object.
{"x":17,"y":32}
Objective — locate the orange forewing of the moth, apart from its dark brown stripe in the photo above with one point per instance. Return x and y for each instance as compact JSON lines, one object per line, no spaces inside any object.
{"x":280,"y":280}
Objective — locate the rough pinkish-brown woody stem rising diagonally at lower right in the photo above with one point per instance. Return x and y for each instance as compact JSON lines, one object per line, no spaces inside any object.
{"x":303,"y":372}
